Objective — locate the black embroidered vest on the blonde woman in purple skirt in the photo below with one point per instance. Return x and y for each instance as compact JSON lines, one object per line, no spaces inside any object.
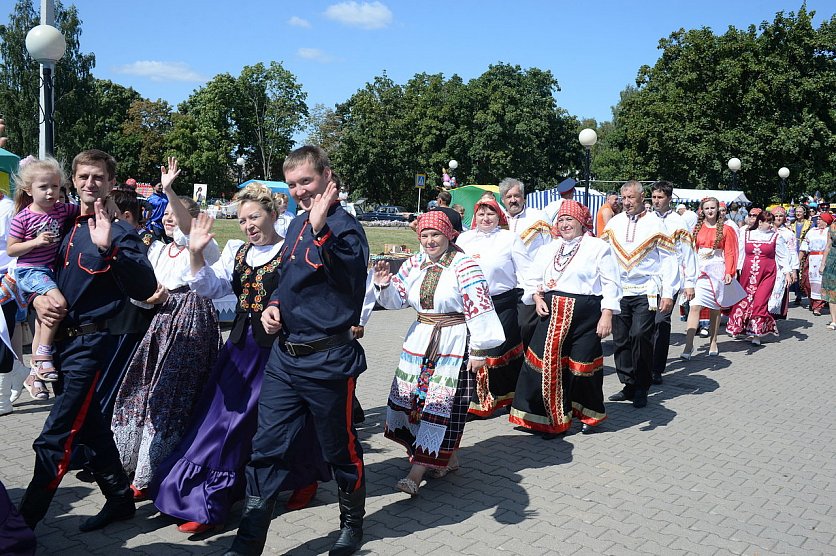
{"x":253,"y":288}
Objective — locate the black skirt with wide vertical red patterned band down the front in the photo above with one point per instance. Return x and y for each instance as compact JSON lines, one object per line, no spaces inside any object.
{"x":562,"y":373}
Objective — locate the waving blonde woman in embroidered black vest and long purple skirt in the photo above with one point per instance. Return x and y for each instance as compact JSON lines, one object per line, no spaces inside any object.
{"x":205,"y":474}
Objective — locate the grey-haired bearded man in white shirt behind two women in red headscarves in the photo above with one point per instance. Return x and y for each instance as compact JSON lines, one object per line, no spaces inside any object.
{"x":534,"y":230}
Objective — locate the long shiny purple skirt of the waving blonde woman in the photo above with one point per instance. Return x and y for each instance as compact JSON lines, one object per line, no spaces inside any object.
{"x":205,"y":475}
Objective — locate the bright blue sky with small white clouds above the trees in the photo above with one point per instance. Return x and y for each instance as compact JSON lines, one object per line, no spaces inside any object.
{"x":166,"y":49}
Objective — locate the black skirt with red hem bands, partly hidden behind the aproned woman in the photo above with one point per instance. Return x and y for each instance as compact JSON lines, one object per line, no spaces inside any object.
{"x":496,"y":381}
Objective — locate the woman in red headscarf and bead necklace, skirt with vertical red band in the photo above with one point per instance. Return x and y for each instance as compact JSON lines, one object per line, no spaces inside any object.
{"x":575,"y":283}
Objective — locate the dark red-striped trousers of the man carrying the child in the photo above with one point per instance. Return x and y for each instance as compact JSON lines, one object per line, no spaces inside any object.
{"x":75,"y":419}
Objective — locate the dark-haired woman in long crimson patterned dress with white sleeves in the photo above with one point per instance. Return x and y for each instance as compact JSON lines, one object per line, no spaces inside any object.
{"x":763,"y":257}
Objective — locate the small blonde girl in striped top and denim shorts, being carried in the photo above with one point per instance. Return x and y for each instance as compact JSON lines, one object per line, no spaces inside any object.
{"x":34,"y":238}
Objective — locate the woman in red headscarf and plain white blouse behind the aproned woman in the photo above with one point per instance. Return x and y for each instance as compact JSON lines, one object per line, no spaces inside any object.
{"x":504,"y":260}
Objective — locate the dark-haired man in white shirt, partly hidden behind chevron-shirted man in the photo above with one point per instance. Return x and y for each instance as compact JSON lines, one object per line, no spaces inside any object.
{"x":679,"y":234}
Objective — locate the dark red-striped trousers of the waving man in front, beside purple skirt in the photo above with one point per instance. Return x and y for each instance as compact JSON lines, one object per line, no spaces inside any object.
{"x":286,"y":399}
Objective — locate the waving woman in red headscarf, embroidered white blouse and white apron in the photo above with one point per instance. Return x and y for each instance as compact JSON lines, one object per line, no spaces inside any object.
{"x":456,"y":326}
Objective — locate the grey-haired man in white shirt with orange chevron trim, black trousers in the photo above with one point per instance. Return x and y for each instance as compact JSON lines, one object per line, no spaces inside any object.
{"x":649,"y":271}
